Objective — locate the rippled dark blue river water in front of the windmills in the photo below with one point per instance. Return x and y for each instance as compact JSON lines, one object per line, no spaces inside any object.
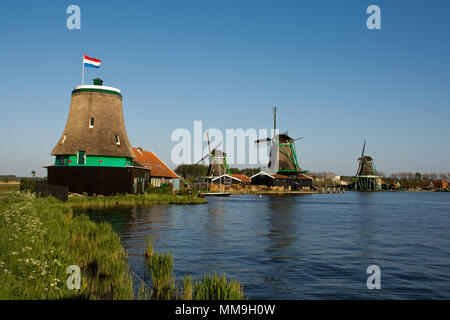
{"x":315,"y":246}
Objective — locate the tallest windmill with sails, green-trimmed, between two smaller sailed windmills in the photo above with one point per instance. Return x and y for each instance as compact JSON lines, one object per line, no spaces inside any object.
{"x":283,"y":155}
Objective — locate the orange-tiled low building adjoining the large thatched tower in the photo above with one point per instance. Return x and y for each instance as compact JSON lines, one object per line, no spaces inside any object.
{"x":160,"y":172}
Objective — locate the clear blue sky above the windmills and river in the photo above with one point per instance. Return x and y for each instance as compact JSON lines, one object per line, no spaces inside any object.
{"x":334,"y":81}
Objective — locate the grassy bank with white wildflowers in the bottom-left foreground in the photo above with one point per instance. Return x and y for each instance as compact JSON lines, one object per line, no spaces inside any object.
{"x":39,"y":239}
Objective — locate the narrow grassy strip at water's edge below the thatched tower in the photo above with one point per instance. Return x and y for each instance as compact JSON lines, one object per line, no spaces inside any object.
{"x":101,"y":202}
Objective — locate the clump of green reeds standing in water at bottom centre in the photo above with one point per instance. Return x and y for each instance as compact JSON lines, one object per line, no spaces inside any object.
{"x":165,"y":286}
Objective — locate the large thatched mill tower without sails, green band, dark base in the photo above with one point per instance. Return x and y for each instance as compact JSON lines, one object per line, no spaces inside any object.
{"x":93,"y":154}
